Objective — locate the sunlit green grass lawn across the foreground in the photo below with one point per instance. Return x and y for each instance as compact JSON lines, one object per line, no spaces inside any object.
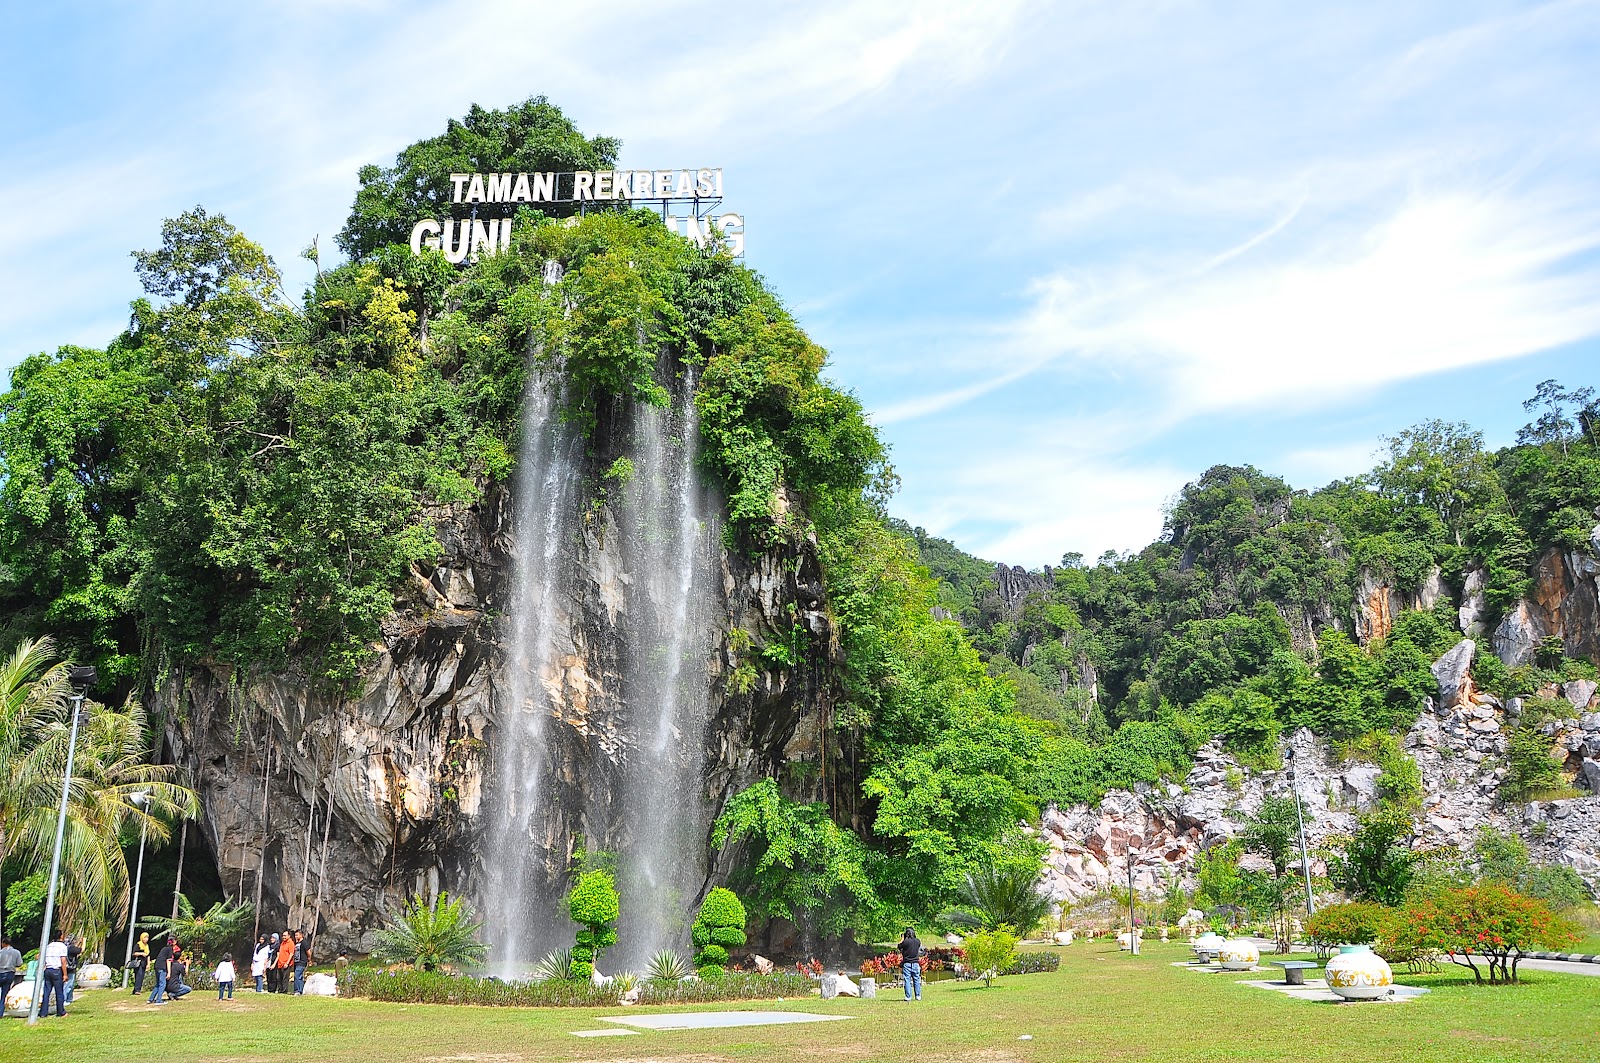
{"x":1102,"y":1006}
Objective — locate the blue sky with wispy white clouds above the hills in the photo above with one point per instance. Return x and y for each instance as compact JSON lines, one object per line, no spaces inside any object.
{"x":1070,"y":255}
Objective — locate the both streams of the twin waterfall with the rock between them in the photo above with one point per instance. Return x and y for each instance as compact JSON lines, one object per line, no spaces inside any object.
{"x":604,"y":697}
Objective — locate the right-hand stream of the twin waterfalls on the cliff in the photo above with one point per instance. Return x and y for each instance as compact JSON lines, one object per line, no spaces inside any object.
{"x":671,"y":638}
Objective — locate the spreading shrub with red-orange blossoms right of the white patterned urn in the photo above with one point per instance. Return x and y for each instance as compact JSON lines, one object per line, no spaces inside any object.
{"x":1490,"y":923}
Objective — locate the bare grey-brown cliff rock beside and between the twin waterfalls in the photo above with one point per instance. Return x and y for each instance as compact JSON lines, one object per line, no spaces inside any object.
{"x":409,"y":758}
